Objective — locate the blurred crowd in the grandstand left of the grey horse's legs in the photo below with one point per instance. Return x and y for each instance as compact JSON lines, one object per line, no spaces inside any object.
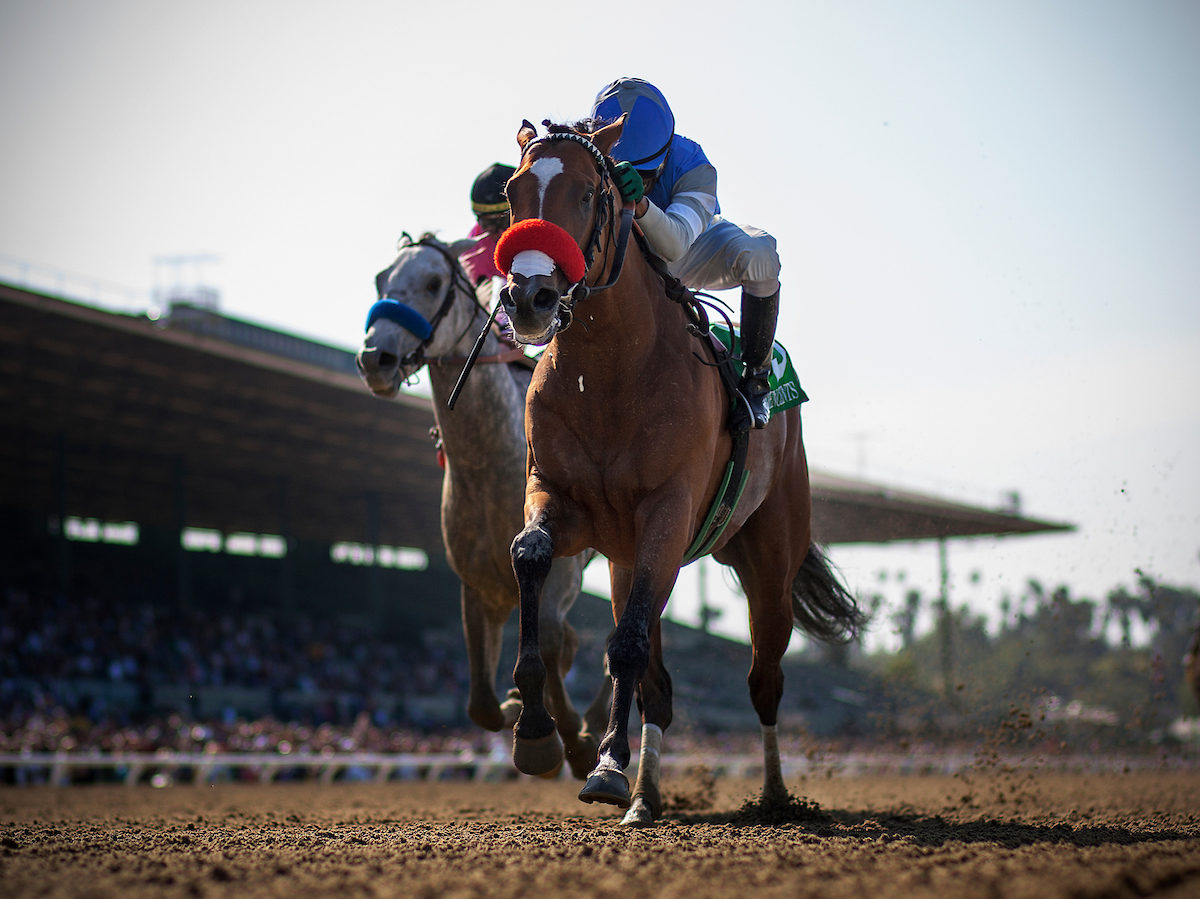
{"x":83,"y":675}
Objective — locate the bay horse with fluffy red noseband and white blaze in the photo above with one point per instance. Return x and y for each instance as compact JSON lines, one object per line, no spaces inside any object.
{"x":629,"y":439}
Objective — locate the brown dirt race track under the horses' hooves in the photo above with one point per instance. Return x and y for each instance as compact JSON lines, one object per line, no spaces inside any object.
{"x":981,"y":836}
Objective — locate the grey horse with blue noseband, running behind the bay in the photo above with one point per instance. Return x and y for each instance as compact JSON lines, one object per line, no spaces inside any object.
{"x":429,"y":315}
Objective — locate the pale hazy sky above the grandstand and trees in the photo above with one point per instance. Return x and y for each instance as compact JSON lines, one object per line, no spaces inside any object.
{"x":988,"y":217}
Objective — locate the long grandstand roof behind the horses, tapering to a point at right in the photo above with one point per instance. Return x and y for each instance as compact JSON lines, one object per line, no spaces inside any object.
{"x":217,"y":423}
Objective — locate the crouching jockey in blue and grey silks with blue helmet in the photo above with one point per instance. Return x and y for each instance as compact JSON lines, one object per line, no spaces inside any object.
{"x":675,"y":189}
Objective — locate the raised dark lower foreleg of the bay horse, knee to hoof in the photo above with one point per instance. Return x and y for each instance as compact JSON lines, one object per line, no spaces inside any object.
{"x":537,"y":747}
